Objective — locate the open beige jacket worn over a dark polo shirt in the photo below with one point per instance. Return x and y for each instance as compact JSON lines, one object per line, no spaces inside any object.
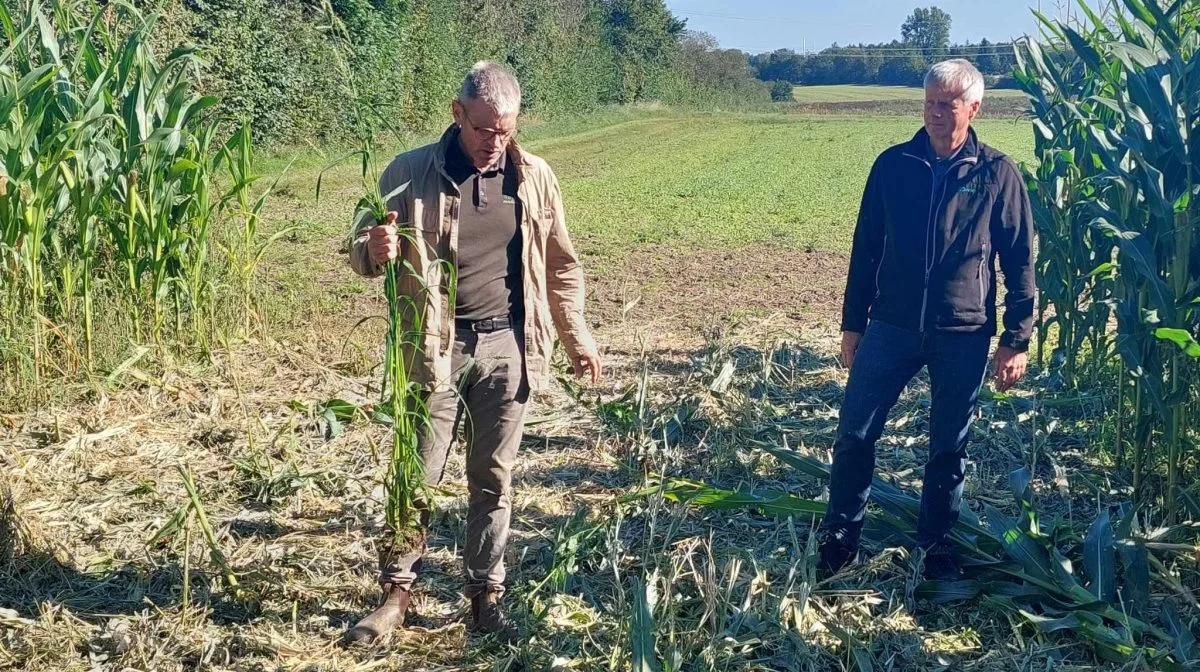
{"x":429,"y":212}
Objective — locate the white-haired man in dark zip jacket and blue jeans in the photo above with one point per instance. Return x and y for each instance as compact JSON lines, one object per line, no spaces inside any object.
{"x":938,"y":214}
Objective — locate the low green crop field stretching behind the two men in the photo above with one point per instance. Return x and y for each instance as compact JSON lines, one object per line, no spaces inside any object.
{"x":728,"y":182}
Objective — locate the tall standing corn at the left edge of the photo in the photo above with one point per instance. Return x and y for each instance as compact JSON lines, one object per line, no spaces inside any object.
{"x":109,"y":161}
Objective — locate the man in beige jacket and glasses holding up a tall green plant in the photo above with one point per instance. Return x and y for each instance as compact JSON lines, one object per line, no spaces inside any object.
{"x":479,"y":205}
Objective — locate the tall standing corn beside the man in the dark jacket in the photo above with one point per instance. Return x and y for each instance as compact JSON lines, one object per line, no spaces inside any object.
{"x":1126,"y":93}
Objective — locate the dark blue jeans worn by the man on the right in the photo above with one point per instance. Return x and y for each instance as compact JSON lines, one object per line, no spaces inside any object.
{"x":887,"y":359}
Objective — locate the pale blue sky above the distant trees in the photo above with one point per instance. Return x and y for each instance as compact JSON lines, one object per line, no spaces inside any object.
{"x":763,"y":26}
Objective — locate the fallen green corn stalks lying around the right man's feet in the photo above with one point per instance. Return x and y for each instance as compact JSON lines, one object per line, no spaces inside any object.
{"x":1017,"y":568}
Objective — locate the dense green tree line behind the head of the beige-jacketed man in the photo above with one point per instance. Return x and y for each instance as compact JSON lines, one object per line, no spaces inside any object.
{"x":272,"y":62}
